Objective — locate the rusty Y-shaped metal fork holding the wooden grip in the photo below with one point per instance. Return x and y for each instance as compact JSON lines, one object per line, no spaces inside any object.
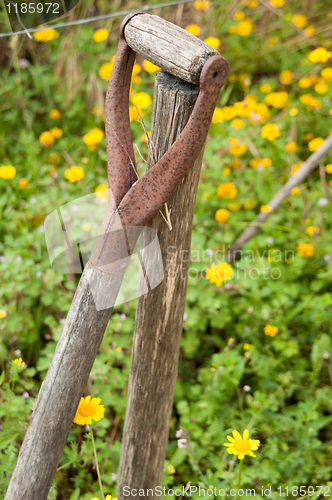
{"x":137,"y":200}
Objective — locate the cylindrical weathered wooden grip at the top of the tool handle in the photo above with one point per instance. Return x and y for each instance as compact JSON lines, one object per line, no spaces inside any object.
{"x":168,"y":46}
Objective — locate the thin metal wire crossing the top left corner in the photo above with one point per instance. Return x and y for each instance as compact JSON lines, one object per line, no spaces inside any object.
{"x":96,"y":18}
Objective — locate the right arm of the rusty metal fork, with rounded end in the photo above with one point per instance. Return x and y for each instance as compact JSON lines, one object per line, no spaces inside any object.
{"x":151,"y":191}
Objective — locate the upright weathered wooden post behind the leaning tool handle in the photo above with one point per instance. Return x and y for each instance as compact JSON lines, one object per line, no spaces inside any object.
{"x":159,"y":315}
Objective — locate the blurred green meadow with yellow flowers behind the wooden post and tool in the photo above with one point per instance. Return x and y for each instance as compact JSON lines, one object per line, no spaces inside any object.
{"x":256,"y":350}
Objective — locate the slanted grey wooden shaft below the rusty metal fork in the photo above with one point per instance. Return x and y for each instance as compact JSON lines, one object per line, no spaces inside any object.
{"x":62,"y":388}
